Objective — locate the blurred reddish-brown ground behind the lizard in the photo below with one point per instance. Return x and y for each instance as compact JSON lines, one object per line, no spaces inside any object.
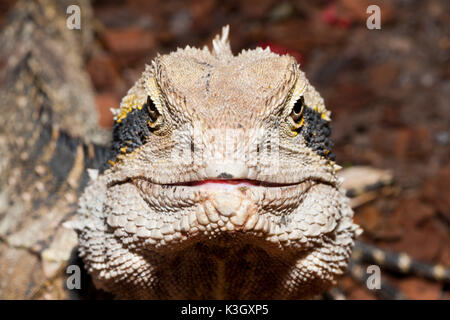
{"x":388,"y":91}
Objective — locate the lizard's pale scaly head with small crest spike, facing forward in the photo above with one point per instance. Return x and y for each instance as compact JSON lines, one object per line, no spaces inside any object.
{"x":221,"y":163}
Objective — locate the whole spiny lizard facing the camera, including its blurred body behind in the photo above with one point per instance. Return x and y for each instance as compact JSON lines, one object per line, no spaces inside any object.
{"x":222,"y":227}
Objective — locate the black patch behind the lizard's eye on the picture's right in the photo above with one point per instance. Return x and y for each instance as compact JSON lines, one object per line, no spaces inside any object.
{"x":316,"y":132}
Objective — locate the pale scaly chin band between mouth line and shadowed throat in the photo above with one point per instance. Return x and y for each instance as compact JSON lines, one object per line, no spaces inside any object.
{"x":171,"y":216}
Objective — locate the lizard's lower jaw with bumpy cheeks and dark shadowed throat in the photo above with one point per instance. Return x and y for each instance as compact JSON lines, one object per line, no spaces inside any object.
{"x":298,"y":236}
